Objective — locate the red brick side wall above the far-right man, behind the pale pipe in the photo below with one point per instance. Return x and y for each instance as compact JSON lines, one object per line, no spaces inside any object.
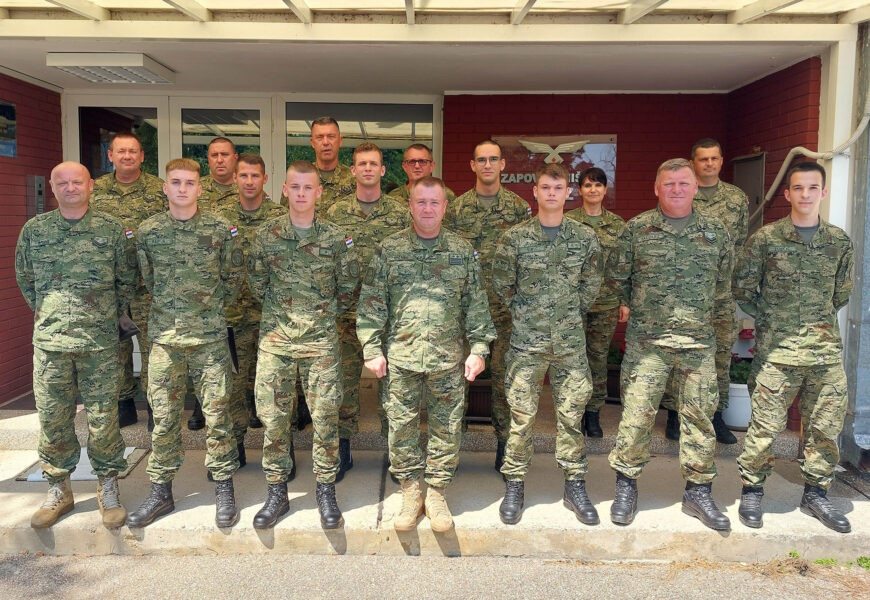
{"x":776,"y":114}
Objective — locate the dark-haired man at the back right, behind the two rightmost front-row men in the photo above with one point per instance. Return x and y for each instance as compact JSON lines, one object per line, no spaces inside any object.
{"x":729,"y":204}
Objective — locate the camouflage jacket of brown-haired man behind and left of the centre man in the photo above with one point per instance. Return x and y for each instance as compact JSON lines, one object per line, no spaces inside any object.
{"x":367,"y":231}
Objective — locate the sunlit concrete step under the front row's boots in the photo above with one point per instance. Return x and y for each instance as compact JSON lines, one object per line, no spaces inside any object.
{"x":369,"y":501}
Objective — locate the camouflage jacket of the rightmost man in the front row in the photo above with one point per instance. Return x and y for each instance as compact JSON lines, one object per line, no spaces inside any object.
{"x":794,"y":291}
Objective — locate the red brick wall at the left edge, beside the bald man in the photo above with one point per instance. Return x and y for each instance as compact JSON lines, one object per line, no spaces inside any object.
{"x":39,"y":149}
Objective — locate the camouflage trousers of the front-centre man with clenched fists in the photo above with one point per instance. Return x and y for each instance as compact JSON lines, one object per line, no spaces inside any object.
{"x":445,"y":406}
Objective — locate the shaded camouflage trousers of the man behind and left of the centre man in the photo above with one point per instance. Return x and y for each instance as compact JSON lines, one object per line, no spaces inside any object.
{"x":352,"y":367}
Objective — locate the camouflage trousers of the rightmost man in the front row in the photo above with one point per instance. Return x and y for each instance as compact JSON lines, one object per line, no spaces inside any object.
{"x":823,"y":399}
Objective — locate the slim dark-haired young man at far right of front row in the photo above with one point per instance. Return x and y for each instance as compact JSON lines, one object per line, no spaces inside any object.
{"x":793,"y":276}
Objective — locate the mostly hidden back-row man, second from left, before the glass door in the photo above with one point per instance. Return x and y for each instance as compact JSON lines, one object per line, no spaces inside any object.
{"x":219,"y":190}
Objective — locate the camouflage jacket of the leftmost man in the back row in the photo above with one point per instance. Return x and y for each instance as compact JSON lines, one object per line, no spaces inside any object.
{"x":145,"y":198}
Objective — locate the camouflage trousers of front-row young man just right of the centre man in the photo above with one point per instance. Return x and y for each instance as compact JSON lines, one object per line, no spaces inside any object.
{"x":572,"y":387}
